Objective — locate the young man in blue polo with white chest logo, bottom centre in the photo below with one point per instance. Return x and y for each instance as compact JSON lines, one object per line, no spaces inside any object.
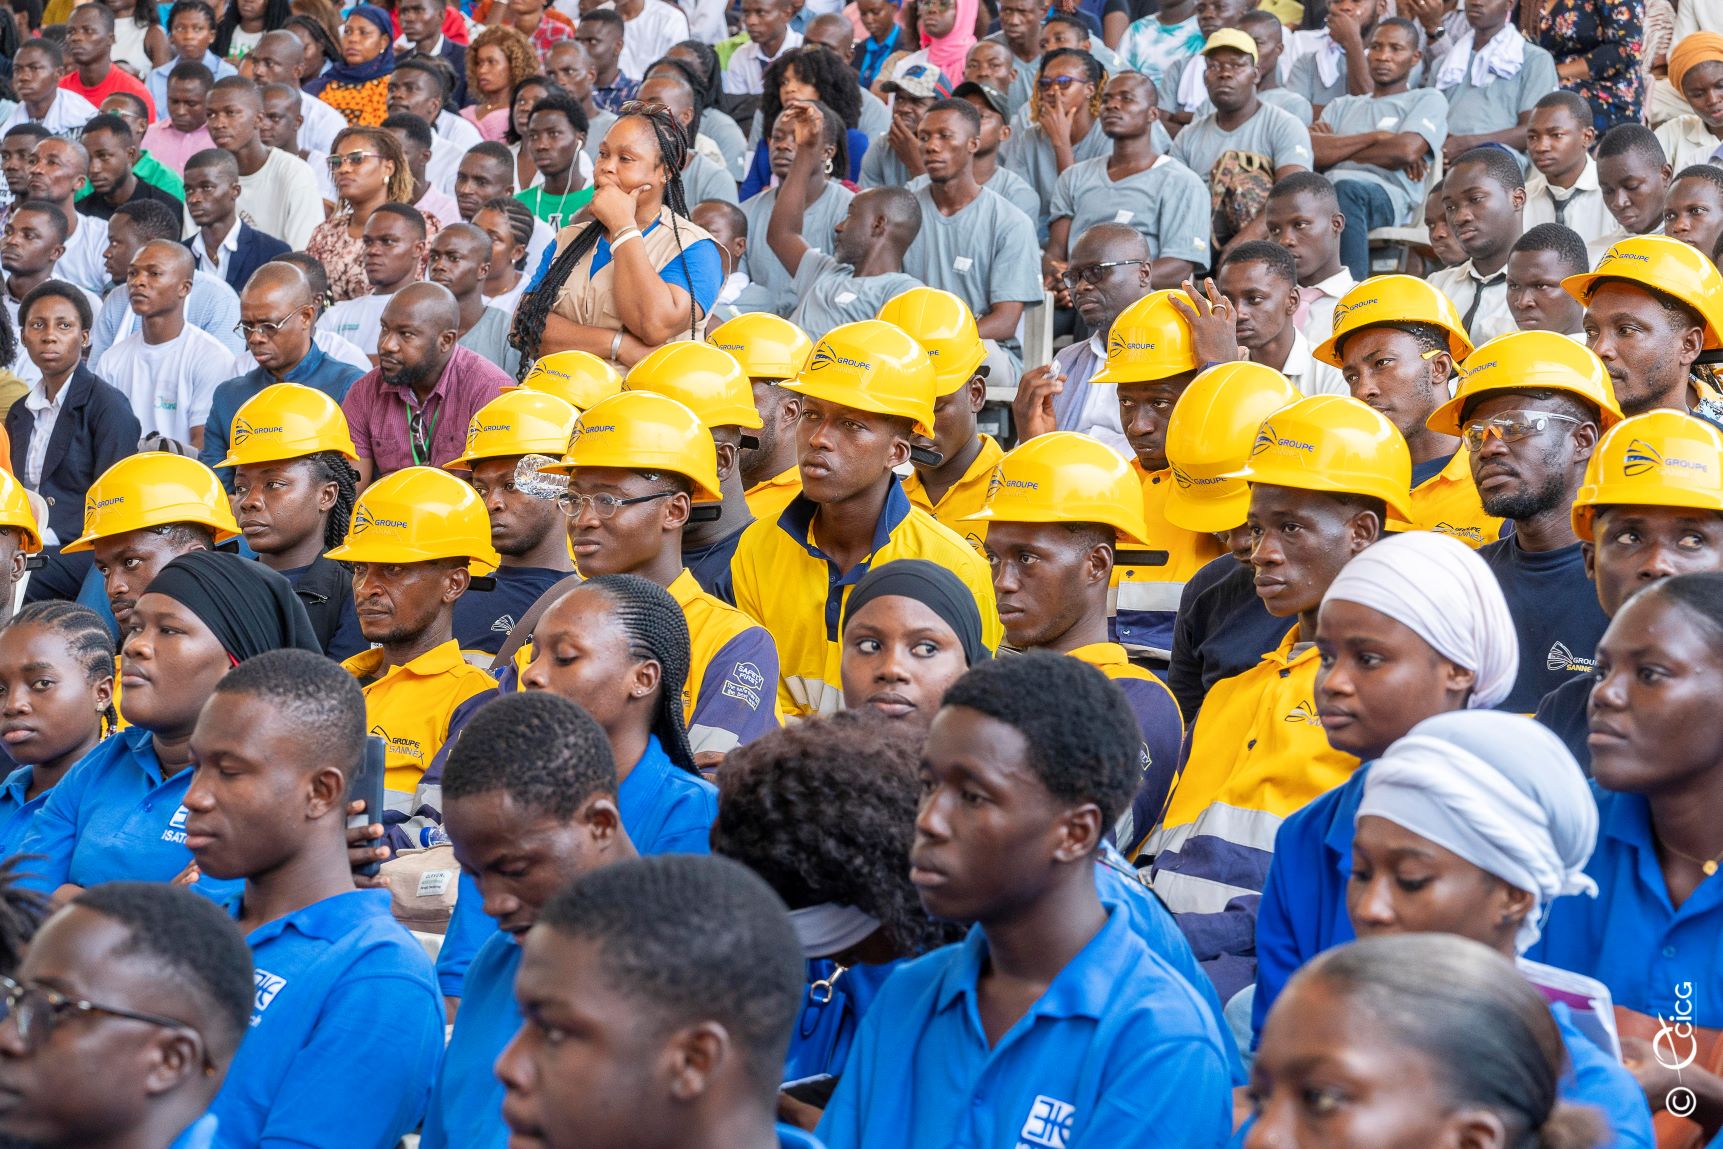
{"x":1054,"y":1024}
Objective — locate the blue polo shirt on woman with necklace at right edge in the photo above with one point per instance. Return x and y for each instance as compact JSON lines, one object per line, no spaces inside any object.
{"x":1631,"y":938}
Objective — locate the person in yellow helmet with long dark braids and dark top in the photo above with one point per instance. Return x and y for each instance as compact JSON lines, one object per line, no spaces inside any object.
{"x":294,"y":494}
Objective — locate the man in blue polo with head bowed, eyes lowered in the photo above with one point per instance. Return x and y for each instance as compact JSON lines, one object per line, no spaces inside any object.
{"x":530,"y":800}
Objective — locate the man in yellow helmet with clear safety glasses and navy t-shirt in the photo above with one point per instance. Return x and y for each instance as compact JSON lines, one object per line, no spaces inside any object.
{"x":1531,"y":407}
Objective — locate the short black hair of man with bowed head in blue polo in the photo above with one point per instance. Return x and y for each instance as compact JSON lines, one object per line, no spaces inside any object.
{"x":542,"y":750}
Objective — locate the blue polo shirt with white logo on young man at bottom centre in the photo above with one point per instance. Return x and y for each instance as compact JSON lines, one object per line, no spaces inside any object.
{"x":1116,"y":1047}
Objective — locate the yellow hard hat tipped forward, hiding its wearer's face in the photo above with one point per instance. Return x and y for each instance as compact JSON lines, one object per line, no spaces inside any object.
{"x":1210,"y":437}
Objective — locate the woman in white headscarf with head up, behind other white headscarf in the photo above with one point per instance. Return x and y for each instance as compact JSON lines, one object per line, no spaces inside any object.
{"x":1412,"y":628}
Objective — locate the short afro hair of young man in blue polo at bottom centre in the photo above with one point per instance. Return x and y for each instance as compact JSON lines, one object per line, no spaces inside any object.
{"x":1086,"y":748}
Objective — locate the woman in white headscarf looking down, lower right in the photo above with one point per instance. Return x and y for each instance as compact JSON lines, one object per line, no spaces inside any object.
{"x":1474,"y":824}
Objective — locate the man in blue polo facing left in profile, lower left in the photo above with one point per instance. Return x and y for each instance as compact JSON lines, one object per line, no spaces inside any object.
{"x":347,"y":1026}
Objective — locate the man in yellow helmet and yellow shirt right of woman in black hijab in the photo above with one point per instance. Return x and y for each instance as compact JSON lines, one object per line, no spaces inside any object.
{"x":416,"y":542}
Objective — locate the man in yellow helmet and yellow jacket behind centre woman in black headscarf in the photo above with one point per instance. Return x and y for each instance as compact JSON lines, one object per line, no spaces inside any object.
{"x":868,"y":388}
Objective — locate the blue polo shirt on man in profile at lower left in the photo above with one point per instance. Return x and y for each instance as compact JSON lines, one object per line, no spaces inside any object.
{"x":347,"y":1031}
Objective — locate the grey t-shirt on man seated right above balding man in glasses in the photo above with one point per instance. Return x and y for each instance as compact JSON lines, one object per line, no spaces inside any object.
{"x":1167,"y":204}
